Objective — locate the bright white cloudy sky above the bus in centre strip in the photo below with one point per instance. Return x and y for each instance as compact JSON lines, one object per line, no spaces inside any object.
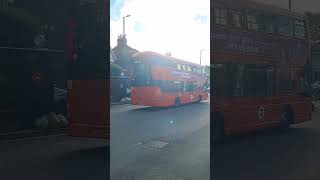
{"x":181,"y":27}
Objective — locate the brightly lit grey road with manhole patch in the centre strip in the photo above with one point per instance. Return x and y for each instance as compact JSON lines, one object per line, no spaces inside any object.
{"x":160,"y":143}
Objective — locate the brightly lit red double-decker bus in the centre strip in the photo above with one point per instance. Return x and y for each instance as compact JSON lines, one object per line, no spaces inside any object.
{"x":163,"y":81}
